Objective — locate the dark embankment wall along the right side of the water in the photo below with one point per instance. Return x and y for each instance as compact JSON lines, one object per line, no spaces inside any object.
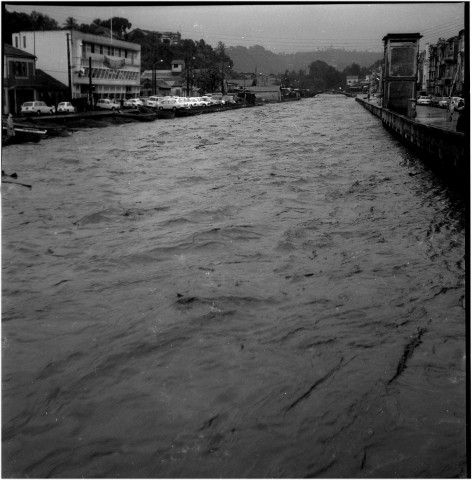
{"x":439,"y":147}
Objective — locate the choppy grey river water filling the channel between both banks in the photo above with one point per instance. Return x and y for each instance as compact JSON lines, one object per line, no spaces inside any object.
{"x":269,"y":292}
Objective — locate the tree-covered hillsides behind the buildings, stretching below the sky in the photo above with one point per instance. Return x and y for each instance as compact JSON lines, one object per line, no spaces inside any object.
{"x":312,"y":71}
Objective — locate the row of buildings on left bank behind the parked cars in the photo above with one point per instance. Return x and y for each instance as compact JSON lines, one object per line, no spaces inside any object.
{"x":58,"y":65}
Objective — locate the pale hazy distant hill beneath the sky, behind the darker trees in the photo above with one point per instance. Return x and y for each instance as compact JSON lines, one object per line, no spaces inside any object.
{"x":257,"y":57}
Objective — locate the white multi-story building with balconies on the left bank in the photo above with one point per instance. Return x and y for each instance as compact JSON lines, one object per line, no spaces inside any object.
{"x":105,"y":66}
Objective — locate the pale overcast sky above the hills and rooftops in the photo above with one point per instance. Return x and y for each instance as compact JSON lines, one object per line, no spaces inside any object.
{"x":277,"y":27}
